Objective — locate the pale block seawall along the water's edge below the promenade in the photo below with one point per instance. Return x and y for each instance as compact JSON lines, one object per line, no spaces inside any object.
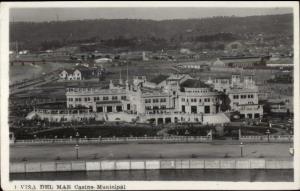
{"x":145,"y":164}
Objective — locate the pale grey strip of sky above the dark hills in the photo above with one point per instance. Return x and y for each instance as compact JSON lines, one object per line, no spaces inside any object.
{"x":62,"y":14}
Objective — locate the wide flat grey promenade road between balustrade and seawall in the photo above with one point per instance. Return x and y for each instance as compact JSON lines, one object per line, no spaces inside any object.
{"x":139,"y":151}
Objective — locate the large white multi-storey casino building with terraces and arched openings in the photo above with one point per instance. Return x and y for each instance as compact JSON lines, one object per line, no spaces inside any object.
{"x":164,"y":99}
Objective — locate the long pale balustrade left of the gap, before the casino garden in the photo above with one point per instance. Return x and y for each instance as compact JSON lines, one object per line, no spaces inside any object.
{"x":172,"y":139}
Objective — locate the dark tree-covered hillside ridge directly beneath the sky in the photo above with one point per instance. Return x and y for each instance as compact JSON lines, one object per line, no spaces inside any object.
{"x":134,"y":32}
